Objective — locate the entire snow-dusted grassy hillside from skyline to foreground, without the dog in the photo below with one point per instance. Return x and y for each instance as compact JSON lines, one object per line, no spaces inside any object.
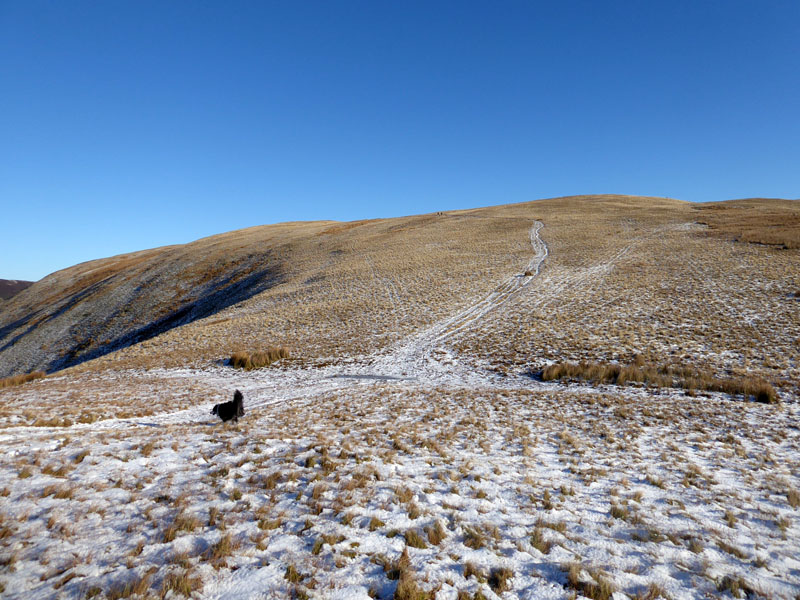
{"x":417,"y":444}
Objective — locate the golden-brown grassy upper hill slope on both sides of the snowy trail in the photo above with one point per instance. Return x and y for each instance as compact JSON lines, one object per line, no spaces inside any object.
{"x":637,"y":275}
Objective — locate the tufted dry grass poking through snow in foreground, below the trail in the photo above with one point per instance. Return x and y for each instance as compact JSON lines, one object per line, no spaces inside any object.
{"x":357,"y":432}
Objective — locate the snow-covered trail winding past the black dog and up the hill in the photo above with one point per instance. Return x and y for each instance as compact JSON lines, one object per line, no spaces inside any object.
{"x":421,"y":360}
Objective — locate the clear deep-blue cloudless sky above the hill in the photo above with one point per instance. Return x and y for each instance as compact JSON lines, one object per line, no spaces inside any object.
{"x":128,"y":125}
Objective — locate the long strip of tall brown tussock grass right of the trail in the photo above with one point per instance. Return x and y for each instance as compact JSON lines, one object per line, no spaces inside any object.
{"x":663,"y":376}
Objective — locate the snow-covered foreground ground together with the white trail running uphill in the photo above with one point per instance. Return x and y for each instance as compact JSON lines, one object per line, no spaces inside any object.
{"x":409,"y":471}
